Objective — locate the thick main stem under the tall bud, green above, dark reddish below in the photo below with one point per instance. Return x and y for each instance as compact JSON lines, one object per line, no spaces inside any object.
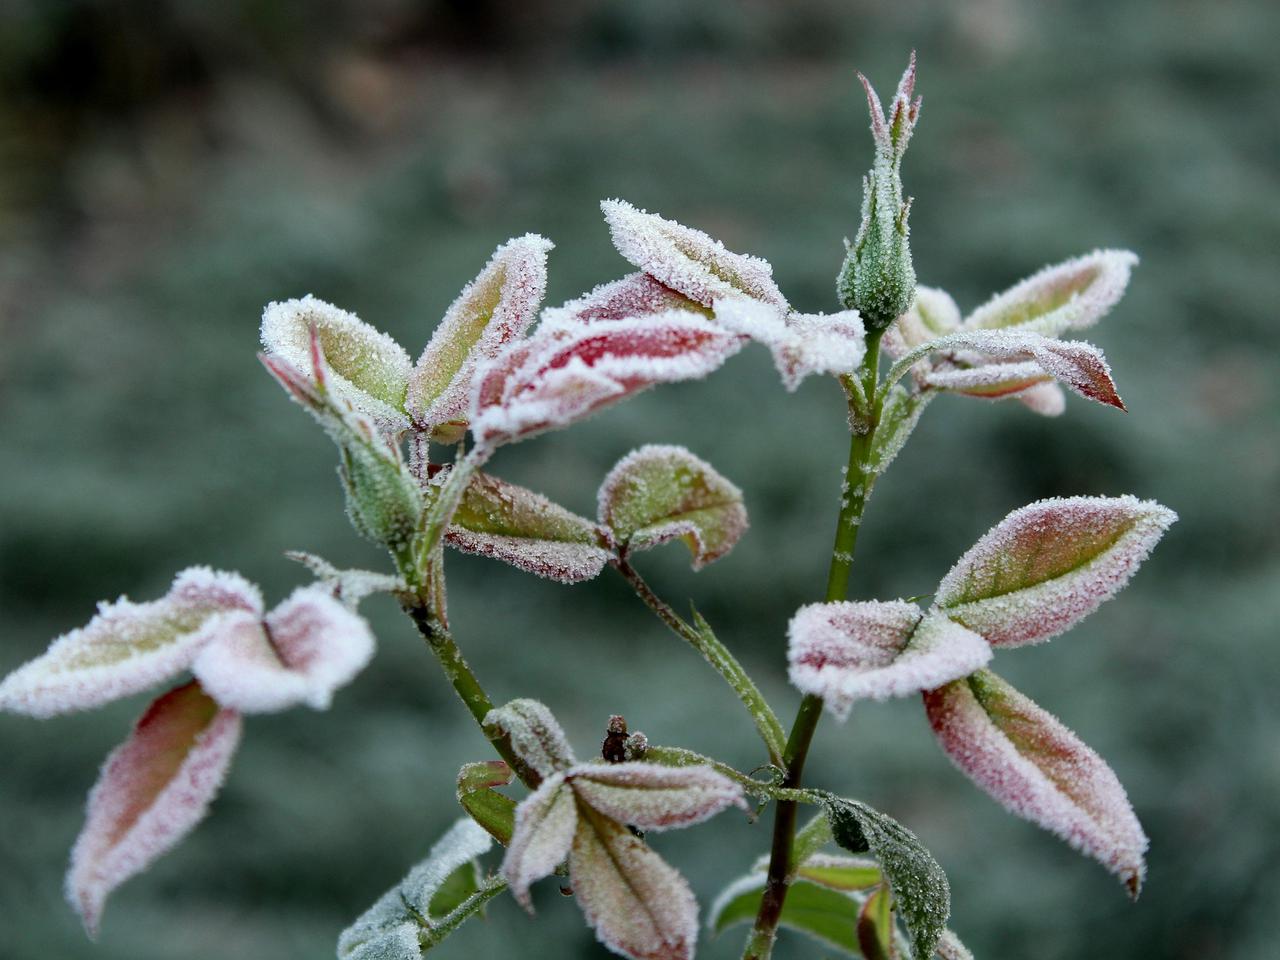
{"x":856,"y":491}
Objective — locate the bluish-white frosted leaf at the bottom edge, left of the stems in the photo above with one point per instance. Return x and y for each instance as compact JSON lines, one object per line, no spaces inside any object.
{"x":391,"y":930}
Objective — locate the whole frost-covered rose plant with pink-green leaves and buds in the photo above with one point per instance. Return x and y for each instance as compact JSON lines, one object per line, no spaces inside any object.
{"x":502,"y":369}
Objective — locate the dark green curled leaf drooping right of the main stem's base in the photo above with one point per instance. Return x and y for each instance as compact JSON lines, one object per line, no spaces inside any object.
{"x":918,"y":884}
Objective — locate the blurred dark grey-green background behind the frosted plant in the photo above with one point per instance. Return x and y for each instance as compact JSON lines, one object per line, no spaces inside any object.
{"x":171,"y":167}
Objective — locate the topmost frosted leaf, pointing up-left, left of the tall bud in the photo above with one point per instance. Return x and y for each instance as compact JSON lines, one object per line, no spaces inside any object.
{"x":688,"y":260}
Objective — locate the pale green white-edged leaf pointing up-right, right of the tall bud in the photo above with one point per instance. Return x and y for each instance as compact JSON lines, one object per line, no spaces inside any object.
{"x":1068,"y":296}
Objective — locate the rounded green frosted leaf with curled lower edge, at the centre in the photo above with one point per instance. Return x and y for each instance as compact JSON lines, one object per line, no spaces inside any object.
{"x":660,"y":493}
